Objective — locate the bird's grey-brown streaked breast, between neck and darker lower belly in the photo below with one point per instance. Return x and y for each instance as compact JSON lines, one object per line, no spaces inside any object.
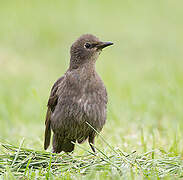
{"x":82,"y":100}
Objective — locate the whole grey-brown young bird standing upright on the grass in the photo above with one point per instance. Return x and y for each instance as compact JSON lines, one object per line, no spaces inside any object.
{"x":77,"y":105}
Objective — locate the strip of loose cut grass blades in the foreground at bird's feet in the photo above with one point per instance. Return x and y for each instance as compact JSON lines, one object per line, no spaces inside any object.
{"x":27,"y":163}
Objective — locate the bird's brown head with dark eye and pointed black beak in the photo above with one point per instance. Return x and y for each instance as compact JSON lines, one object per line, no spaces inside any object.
{"x":86,"y":49}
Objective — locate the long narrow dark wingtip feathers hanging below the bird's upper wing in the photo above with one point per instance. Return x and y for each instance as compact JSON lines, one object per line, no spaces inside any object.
{"x":47,"y":130}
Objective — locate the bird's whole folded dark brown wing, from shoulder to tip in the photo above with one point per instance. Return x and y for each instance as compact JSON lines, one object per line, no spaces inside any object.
{"x":52,"y":102}
